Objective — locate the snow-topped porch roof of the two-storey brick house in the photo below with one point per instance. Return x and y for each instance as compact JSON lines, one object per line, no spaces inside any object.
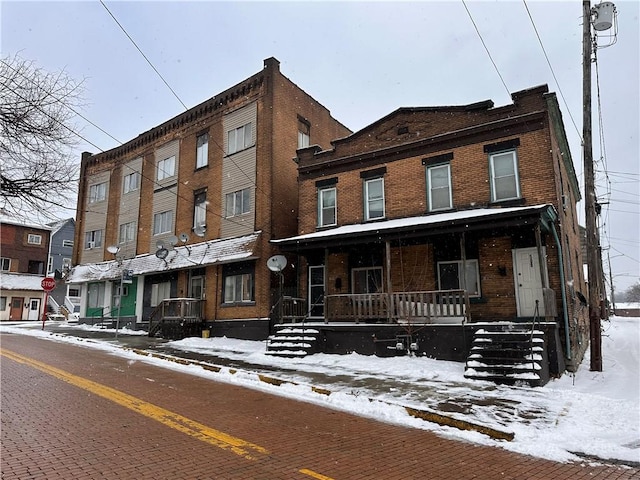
{"x":459,"y":221}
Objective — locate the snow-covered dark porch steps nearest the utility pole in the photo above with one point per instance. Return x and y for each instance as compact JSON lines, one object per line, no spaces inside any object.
{"x":508,"y":354}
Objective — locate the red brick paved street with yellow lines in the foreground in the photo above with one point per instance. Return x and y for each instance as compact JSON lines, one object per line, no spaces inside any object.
{"x":55,"y":429}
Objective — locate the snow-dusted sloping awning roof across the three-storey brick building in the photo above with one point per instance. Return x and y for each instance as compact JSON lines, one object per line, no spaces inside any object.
{"x":188,"y":256}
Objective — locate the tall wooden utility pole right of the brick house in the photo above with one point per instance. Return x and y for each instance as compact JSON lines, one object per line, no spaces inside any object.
{"x":593,"y":236}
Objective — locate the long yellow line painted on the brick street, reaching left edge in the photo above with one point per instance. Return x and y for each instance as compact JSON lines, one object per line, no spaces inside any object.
{"x":166,"y":417}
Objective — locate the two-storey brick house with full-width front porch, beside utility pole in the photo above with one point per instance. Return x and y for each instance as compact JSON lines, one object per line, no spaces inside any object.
{"x":434,"y":219}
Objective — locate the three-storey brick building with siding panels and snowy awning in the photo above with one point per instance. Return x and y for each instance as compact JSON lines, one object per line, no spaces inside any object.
{"x":190,"y":207}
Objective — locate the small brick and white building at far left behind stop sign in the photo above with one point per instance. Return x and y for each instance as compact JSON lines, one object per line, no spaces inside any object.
{"x":24,"y":251}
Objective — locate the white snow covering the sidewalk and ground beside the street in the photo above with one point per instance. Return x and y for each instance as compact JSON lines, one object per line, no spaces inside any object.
{"x":588,"y":414}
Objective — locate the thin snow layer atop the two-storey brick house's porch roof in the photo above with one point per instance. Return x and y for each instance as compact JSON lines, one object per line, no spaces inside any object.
{"x":440,"y":219}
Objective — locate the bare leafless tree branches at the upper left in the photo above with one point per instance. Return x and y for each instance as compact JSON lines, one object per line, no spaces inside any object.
{"x":38,"y":173}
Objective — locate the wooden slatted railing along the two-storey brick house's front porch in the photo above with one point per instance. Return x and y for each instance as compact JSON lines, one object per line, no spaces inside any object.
{"x":440,"y":306}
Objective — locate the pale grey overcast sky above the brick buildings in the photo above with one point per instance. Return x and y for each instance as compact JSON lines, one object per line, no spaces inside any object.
{"x":362,"y":60}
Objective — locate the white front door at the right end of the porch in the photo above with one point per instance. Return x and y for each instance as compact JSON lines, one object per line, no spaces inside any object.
{"x":528,"y":282}
